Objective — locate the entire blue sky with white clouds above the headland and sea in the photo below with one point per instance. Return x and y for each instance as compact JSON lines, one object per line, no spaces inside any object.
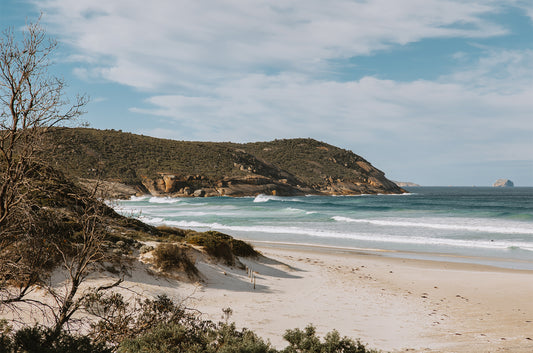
{"x":435,"y":92}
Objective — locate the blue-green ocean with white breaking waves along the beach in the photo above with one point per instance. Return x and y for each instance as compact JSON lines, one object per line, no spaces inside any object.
{"x":491,"y":226}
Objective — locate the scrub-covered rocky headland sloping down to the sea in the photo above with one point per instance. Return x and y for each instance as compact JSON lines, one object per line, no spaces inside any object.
{"x":182,"y":168}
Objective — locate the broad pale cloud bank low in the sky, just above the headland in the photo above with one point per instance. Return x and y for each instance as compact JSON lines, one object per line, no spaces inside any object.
{"x":453,"y":116}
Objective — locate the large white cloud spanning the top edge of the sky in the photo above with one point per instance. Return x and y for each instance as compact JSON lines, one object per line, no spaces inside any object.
{"x":181,"y":44}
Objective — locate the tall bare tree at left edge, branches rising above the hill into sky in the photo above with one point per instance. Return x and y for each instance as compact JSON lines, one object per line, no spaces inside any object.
{"x":31,"y":102}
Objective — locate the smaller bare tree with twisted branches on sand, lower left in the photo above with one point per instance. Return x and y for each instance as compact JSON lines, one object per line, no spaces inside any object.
{"x":73,"y":252}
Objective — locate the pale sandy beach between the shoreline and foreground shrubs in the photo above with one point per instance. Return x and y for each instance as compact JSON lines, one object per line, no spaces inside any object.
{"x":391,"y":304}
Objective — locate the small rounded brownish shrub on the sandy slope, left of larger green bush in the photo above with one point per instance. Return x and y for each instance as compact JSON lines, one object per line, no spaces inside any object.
{"x":173,"y":257}
